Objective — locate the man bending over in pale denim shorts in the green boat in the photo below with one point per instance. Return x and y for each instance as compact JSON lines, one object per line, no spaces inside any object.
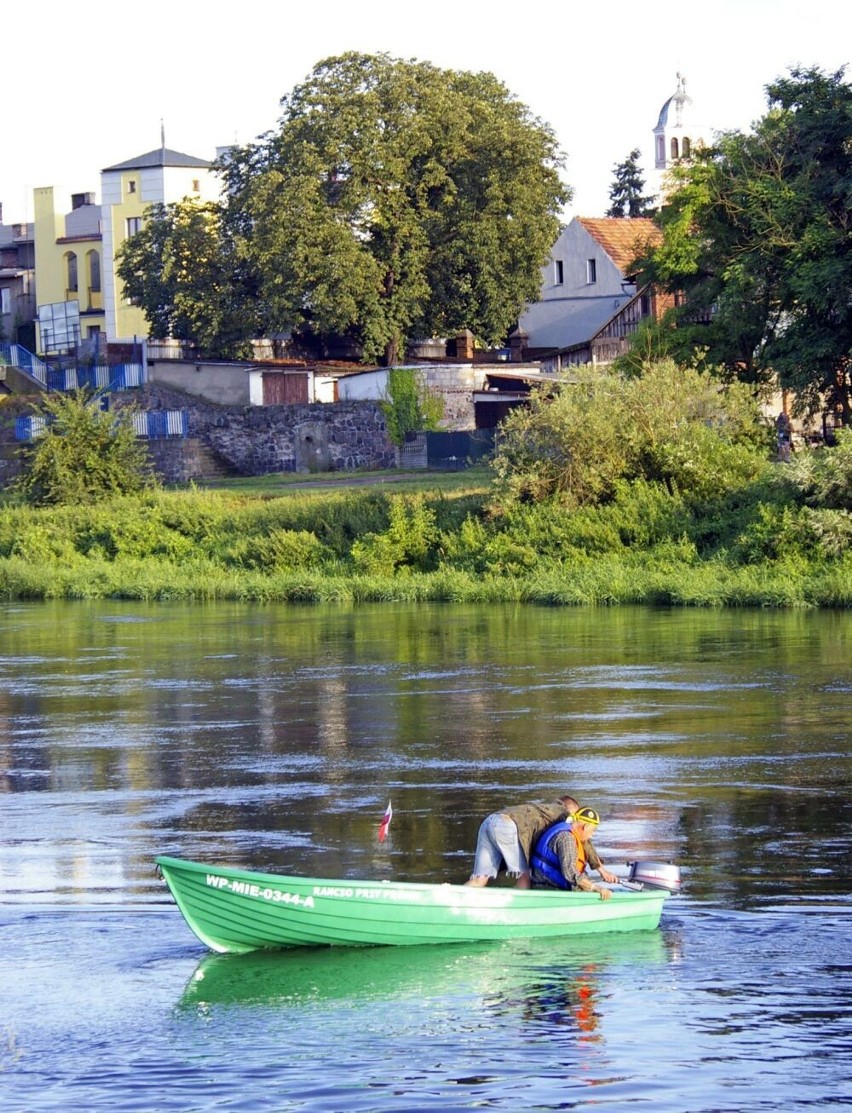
{"x":506,"y":841}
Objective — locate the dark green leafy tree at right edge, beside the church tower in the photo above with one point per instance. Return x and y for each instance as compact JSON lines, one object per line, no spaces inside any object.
{"x":758,"y":239}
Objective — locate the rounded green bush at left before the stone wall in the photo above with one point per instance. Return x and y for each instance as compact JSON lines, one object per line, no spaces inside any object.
{"x":84,"y":455}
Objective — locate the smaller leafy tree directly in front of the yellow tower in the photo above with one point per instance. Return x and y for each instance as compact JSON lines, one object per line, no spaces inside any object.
{"x":193,"y":279}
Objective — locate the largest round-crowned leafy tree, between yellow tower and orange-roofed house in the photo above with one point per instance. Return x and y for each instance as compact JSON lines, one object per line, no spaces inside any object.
{"x":398,"y":201}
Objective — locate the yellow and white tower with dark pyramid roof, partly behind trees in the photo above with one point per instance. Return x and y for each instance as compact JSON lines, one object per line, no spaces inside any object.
{"x":129,"y":190}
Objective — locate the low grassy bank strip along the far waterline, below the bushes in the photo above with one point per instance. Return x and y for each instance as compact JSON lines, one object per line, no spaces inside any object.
{"x":436,"y":538}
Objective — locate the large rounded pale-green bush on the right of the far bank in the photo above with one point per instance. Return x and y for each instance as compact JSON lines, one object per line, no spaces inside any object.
{"x":675,"y":427}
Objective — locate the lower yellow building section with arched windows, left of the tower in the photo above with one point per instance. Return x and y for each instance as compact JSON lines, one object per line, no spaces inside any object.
{"x":70,"y":269}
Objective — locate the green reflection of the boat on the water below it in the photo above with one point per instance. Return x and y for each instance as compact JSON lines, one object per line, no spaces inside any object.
{"x":541,"y":976}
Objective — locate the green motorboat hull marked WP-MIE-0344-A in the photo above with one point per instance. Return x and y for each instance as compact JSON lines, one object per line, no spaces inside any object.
{"x":236,"y":911}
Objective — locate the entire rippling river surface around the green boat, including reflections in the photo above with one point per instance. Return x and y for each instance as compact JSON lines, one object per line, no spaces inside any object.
{"x":275,"y":737}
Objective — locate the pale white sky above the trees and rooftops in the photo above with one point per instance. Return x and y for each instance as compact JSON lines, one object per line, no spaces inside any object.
{"x":94,"y":82}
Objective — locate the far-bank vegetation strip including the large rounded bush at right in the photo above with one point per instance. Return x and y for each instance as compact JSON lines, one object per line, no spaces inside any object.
{"x":659,"y":489}
